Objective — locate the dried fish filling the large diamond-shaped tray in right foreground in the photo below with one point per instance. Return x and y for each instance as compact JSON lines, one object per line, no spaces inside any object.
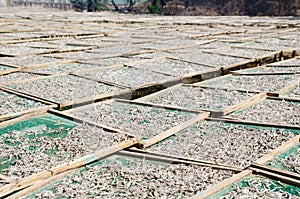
{"x":222,"y":143}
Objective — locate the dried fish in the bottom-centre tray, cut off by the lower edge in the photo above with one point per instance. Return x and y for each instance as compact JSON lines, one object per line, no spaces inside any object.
{"x":136,"y":178}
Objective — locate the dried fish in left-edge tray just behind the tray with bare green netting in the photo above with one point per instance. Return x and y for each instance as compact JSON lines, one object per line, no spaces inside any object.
{"x":10,"y":103}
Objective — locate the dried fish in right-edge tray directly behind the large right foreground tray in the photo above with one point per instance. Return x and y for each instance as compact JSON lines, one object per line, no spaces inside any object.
{"x":279,"y":112}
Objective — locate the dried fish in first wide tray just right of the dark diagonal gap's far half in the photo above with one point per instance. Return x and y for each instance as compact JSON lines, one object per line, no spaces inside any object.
{"x":259,"y":83}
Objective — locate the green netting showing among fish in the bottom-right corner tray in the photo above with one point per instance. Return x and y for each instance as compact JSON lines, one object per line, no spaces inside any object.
{"x":275,"y":186}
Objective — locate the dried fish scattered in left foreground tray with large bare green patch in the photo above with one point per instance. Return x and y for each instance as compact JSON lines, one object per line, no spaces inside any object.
{"x":34,"y":150}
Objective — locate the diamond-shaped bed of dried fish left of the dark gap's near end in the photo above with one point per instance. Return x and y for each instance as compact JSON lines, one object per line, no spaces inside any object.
{"x":64,"y":88}
